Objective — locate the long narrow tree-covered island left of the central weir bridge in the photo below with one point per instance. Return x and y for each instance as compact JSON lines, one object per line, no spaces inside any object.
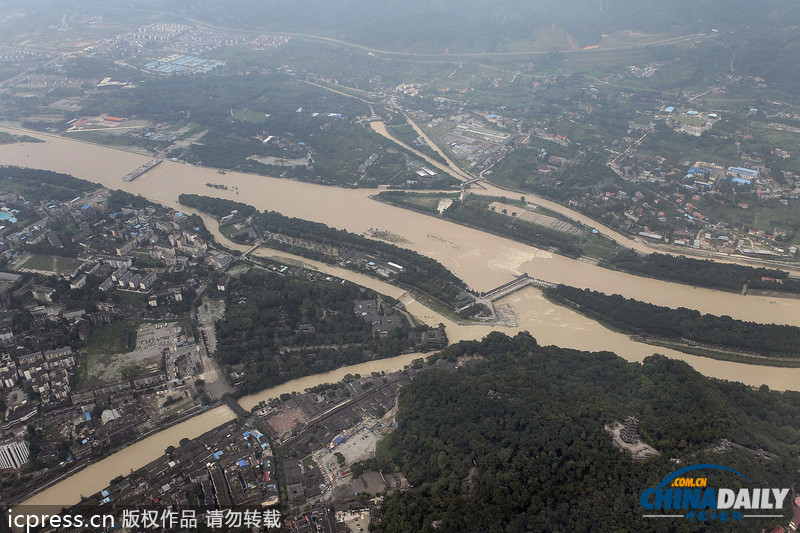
{"x":408,"y":269}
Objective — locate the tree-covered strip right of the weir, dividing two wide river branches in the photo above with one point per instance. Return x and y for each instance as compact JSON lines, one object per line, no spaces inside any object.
{"x":686,"y":329}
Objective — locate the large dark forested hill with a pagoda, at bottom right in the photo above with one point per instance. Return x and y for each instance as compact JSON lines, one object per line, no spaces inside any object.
{"x":531,"y":420}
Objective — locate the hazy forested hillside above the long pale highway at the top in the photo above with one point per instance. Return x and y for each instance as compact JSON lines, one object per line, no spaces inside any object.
{"x":484,"y":25}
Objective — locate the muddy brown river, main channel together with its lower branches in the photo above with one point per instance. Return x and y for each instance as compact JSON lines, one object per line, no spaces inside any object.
{"x":483,"y":261}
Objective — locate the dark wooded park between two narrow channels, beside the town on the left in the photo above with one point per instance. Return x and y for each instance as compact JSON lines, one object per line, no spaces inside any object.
{"x":262,"y":333}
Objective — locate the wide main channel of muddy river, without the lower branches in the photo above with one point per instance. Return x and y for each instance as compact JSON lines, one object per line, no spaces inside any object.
{"x":484,"y":261}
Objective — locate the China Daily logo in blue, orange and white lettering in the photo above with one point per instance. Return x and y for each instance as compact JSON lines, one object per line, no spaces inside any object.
{"x":695,"y":500}
